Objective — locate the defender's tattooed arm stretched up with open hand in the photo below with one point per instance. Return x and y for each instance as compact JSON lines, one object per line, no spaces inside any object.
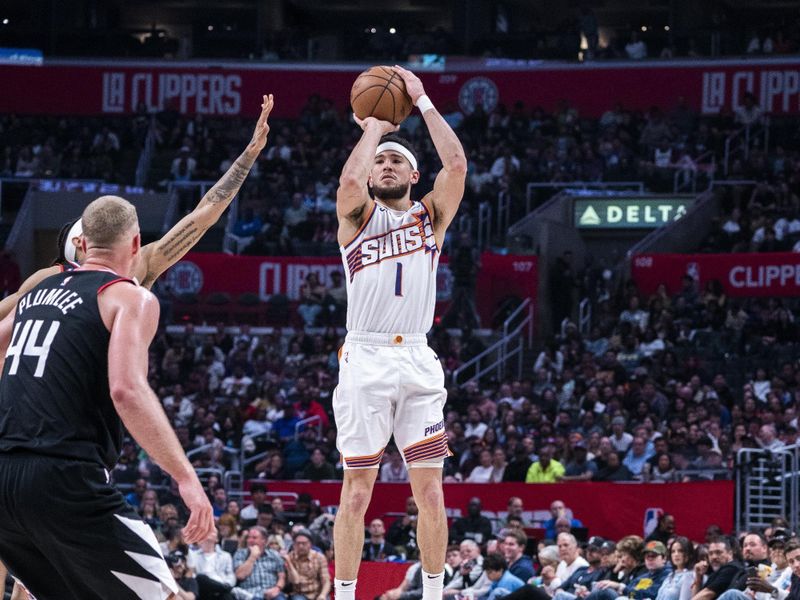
{"x":162,"y":254}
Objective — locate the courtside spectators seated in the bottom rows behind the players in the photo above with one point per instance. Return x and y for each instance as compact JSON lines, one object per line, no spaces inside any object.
{"x":268,"y":549}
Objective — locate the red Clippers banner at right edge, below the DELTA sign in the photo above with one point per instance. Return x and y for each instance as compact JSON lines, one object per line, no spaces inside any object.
{"x":743,"y":275}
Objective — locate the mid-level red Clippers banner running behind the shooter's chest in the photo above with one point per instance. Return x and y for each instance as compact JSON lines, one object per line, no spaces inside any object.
{"x":499,"y":277}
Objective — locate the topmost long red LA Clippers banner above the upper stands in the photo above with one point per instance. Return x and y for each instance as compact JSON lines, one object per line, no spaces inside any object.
{"x":235,"y":89}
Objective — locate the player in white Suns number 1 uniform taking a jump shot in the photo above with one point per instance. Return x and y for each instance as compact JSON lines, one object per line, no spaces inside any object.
{"x":390,"y":381}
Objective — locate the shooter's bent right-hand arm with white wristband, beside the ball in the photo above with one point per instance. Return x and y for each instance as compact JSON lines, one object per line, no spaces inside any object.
{"x":448,"y":188}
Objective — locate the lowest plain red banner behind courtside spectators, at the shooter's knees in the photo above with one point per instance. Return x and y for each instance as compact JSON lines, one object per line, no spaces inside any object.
{"x":610,"y":510}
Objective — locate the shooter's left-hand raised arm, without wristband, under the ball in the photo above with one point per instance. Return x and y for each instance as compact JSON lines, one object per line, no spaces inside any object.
{"x":352,"y":195}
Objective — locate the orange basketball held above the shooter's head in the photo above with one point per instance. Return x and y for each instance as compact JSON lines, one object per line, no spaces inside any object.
{"x":381,"y":93}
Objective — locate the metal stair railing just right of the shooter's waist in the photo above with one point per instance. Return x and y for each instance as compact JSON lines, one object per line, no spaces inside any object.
{"x":511,"y":345}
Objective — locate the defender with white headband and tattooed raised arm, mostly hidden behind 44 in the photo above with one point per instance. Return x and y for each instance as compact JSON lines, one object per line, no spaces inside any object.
{"x":158,"y":256}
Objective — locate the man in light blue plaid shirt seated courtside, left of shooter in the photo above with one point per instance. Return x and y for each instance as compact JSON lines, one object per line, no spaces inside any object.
{"x":260,"y":572}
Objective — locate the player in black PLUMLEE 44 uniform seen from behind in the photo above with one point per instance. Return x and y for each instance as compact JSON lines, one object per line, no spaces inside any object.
{"x":74,"y":371}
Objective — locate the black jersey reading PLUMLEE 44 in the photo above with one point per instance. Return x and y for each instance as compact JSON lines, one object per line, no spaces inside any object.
{"x":54,"y":396}
